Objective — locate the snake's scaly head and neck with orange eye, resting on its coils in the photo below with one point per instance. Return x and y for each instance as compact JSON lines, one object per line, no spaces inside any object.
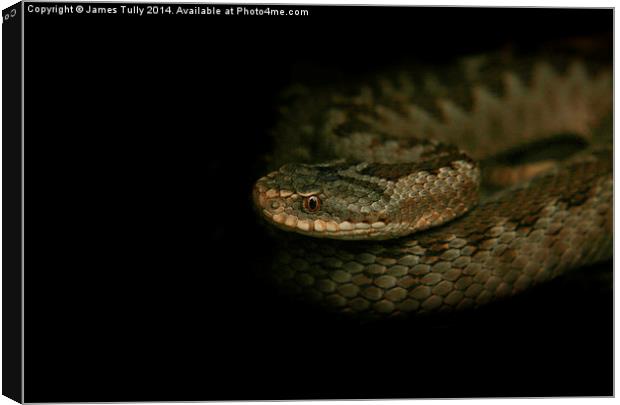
{"x":344,"y":200}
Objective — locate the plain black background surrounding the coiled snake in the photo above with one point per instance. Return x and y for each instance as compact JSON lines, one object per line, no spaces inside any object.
{"x":143,"y":264}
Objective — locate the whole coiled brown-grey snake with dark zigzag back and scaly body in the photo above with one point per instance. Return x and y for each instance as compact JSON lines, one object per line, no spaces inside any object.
{"x":396,"y":220}
